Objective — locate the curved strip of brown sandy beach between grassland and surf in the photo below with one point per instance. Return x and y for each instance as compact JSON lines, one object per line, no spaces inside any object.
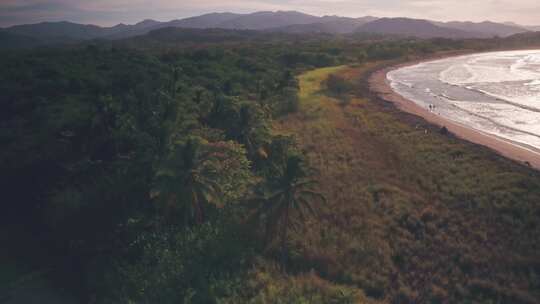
{"x":379,"y":84}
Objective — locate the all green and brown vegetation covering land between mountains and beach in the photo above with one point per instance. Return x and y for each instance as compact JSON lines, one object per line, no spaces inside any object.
{"x":162,"y":169}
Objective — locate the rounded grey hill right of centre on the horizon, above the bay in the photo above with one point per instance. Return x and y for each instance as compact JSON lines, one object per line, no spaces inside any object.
{"x":412,"y":27}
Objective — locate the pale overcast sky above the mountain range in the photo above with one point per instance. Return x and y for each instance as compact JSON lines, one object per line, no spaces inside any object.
{"x":109,"y":12}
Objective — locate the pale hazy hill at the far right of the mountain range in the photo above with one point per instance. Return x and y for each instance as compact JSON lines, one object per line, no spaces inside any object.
{"x":485,"y":29}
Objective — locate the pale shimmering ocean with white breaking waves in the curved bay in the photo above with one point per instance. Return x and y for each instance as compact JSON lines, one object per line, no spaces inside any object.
{"x":496,"y":93}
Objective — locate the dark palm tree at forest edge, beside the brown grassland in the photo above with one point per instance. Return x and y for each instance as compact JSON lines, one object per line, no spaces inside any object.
{"x":291,"y":195}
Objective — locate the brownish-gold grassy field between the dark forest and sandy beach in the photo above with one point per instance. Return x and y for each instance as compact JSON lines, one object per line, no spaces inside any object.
{"x":414,"y":215}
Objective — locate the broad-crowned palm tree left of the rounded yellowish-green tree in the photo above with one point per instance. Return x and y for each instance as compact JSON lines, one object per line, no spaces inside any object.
{"x":187,"y":182}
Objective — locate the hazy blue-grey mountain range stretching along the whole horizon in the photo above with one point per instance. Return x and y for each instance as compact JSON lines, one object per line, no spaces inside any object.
{"x":280,"y":21}
